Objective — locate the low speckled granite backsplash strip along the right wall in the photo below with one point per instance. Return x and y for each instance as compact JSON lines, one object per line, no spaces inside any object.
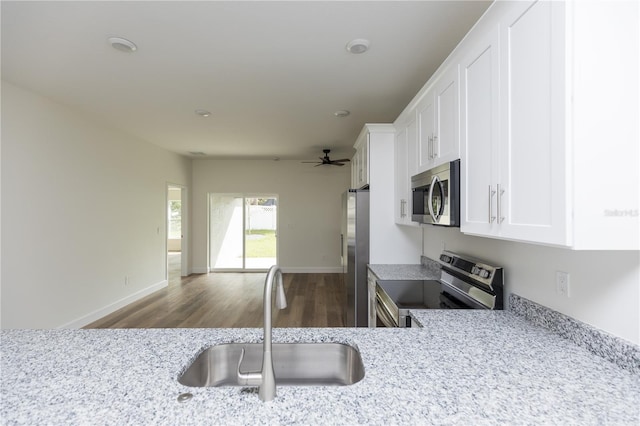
{"x":619,"y":351}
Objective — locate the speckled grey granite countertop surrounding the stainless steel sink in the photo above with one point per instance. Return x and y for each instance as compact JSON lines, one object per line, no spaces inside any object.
{"x":463,"y":367}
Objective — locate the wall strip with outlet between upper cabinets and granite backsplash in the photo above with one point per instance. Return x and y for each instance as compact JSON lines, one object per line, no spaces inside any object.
{"x":605,"y":285}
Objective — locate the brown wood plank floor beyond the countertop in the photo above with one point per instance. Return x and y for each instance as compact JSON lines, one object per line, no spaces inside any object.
{"x":234,"y":300}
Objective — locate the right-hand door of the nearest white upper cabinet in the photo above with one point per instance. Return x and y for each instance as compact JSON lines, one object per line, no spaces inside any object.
{"x":532,"y":198}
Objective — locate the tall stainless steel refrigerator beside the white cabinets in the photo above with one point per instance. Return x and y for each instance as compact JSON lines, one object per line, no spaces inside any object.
{"x":355,"y":255}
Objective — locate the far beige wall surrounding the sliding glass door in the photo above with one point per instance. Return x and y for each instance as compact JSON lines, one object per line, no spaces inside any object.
{"x":309,"y":207}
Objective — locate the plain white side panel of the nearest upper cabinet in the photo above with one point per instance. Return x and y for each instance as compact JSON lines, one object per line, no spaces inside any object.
{"x":604,"y":124}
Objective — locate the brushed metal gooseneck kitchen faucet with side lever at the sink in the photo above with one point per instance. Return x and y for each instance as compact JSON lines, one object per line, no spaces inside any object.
{"x":265,"y":379}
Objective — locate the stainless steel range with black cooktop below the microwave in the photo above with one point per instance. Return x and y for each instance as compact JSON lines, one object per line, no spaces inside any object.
{"x":465,"y":283}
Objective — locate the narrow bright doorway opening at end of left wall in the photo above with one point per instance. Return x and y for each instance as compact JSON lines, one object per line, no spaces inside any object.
{"x":176,"y":261}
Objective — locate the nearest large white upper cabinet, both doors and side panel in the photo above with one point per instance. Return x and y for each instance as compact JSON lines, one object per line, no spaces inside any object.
{"x":541,"y":116}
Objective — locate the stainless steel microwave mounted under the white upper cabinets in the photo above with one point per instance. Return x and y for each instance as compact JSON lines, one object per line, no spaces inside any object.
{"x":436,"y":195}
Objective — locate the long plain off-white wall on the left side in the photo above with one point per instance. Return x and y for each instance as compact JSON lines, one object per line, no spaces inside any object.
{"x":67,"y":178}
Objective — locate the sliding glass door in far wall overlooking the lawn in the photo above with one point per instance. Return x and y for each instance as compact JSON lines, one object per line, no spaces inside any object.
{"x":243,"y":232}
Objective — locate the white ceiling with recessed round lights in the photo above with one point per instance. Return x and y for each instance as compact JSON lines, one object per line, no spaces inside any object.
{"x":272,"y":74}
